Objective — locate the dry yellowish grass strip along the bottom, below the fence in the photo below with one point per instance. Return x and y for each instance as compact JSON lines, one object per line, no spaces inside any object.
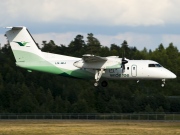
{"x":77,"y":127}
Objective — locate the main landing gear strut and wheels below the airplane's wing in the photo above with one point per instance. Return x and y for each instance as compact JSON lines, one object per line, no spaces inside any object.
{"x":98,"y":75}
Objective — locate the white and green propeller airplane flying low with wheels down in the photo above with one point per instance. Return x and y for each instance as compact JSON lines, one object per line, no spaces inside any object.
{"x":30,"y":57}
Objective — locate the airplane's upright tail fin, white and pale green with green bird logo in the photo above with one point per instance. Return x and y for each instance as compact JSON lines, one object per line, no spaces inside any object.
{"x":23,"y":45}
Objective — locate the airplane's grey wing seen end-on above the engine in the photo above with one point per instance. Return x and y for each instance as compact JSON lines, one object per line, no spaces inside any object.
{"x":92,"y":58}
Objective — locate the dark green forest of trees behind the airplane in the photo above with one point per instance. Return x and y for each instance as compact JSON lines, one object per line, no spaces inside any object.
{"x":37,"y":92}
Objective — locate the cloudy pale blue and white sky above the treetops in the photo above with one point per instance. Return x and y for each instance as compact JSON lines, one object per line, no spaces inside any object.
{"x":142,"y":23}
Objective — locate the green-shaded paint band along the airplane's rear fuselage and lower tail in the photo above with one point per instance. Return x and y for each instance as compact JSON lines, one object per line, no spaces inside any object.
{"x":34,"y":62}
